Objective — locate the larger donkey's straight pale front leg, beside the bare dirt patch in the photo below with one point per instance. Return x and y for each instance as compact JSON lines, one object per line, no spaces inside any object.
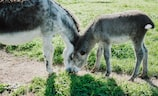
{"x":48,"y":52}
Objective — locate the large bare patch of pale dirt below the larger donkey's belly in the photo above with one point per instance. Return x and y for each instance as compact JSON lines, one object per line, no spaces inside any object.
{"x":15,"y":70}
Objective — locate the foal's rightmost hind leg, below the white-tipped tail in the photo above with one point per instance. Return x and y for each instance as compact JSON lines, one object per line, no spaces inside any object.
{"x":145,"y":63}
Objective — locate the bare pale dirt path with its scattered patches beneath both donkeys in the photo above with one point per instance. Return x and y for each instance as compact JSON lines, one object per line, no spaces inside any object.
{"x":21,"y":70}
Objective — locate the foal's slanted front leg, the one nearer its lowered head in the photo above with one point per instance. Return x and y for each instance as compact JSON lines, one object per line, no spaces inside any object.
{"x":97,"y":63}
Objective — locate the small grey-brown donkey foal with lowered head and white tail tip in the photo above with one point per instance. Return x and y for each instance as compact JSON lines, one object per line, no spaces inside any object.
{"x":115,"y":28}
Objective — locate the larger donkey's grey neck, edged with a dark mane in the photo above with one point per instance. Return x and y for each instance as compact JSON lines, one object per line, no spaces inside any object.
{"x":69,"y":24}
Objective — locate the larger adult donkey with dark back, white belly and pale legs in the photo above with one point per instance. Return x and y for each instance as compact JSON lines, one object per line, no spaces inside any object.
{"x":23,"y":20}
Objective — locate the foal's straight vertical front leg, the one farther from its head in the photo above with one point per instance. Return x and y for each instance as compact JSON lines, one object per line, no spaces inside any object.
{"x":107,"y":54}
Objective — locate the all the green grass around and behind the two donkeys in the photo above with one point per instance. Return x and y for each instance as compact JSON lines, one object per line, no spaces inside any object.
{"x":123,"y":59}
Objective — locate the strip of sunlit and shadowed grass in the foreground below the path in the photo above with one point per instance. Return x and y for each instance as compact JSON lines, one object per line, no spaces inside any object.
{"x":64,"y":84}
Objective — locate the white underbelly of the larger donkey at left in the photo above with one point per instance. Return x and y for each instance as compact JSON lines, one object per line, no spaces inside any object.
{"x":16,"y":38}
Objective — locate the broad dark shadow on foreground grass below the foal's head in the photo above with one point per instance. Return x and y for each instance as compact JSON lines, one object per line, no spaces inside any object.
{"x":89,"y":86}
